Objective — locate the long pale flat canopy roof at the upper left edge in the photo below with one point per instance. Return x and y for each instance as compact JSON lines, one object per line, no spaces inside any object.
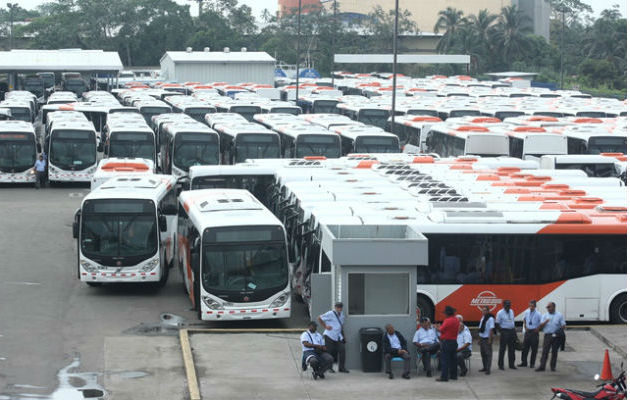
{"x":60,"y":60}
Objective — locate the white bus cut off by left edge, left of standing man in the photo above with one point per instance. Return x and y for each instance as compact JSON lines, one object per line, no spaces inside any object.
{"x":18,"y":152}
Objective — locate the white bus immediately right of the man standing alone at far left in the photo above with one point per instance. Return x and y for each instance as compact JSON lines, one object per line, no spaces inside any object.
{"x":71,"y":149}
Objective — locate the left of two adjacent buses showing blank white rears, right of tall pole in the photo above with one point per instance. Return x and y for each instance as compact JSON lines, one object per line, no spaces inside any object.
{"x":454,"y":141}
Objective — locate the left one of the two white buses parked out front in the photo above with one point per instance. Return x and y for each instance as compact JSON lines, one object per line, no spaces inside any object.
{"x":125,"y":230}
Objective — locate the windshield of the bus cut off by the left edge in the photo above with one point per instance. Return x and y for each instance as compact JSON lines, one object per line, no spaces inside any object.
{"x":17,"y":152}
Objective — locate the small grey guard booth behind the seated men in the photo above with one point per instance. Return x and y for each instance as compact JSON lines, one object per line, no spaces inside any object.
{"x":373,"y":272}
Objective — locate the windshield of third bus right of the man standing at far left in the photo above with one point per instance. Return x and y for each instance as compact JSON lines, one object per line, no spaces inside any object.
{"x":195,"y":149}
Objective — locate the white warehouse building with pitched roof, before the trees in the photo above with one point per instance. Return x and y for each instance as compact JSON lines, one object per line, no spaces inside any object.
{"x":218,"y":66}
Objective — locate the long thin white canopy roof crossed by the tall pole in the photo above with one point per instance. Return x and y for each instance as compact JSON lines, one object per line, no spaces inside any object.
{"x":402,"y":59}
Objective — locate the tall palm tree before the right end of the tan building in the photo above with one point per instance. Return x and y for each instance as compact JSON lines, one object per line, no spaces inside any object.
{"x":511,"y":33}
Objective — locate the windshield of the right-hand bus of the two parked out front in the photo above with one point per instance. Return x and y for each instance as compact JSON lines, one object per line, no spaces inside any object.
{"x":248,"y":261}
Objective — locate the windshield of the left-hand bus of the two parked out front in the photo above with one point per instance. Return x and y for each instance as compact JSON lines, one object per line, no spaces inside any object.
{"x":120,"y":232}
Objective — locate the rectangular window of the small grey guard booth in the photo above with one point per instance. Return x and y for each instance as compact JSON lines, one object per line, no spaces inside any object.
{"x":378,"y":294}
